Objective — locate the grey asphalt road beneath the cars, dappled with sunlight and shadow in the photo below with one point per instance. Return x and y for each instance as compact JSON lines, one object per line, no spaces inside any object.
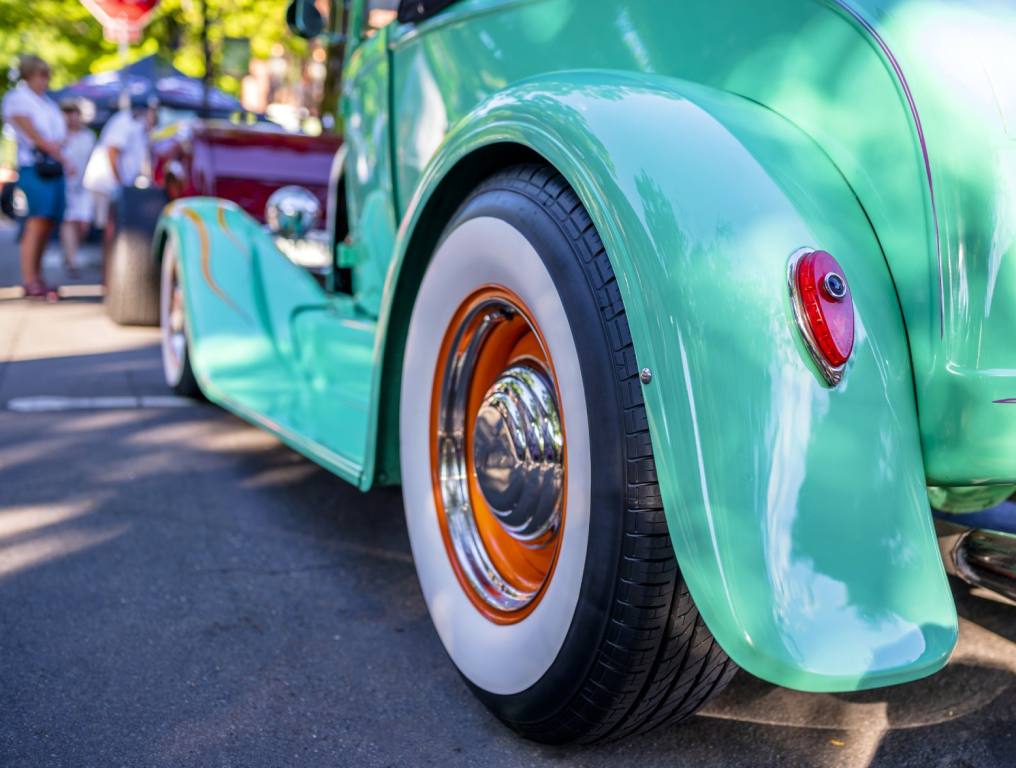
{"x":179,"y":590}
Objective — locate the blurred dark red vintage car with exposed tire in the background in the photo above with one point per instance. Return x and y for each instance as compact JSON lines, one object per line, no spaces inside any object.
{"x":244,"y":164}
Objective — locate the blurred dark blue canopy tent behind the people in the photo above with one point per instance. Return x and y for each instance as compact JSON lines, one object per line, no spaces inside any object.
{"x":151,"y":77}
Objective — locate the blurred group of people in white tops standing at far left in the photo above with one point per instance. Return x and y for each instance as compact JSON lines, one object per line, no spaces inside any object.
{"x":70,"y":179}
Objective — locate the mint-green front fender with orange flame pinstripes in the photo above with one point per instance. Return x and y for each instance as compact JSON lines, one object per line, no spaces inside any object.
{"x":240,"y":337}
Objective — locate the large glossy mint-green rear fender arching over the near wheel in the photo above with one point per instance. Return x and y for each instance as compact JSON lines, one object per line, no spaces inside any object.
{"x":798,"y":513}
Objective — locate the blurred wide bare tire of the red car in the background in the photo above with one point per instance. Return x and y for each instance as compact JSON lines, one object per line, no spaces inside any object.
{"x":133,"y":275}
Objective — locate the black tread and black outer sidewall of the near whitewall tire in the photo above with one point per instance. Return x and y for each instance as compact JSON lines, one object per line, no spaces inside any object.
{"x":638,"y":655}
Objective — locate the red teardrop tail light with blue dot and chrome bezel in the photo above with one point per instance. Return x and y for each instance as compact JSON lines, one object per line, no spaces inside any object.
{"x":824,"y":310}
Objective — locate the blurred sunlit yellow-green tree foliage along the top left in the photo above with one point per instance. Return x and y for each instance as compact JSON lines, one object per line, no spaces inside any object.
{"x":65,"y":34}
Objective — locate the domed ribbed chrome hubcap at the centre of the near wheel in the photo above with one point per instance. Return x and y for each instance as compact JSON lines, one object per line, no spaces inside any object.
{"x":518,"y":450}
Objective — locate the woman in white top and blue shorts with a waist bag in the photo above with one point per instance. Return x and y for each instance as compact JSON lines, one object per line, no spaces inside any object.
{"x":40,"y":131}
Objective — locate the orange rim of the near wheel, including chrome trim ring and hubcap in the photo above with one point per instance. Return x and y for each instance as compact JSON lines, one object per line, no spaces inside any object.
{"x":496,"y":398}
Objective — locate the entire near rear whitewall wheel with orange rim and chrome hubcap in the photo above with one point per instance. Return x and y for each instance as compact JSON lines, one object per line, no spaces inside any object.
{"x":529,"y":480}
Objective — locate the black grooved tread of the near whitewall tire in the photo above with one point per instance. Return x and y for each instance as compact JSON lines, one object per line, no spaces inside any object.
{"x":658,"y":663}
